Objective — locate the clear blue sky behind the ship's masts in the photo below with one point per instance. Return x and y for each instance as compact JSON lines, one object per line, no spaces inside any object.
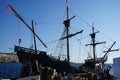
{"x":49,"y":16}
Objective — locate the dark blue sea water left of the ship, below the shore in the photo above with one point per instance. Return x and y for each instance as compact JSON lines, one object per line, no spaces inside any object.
{"x":10,"y":70}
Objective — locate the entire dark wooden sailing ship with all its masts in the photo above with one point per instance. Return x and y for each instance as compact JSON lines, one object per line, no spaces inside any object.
{"x":30,"y":56}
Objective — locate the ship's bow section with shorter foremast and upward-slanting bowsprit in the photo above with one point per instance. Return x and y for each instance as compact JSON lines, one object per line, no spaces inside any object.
{"x":91,"y":63}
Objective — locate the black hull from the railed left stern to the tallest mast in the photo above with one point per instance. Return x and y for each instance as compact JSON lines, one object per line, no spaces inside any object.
{"x":27,"y":55}
